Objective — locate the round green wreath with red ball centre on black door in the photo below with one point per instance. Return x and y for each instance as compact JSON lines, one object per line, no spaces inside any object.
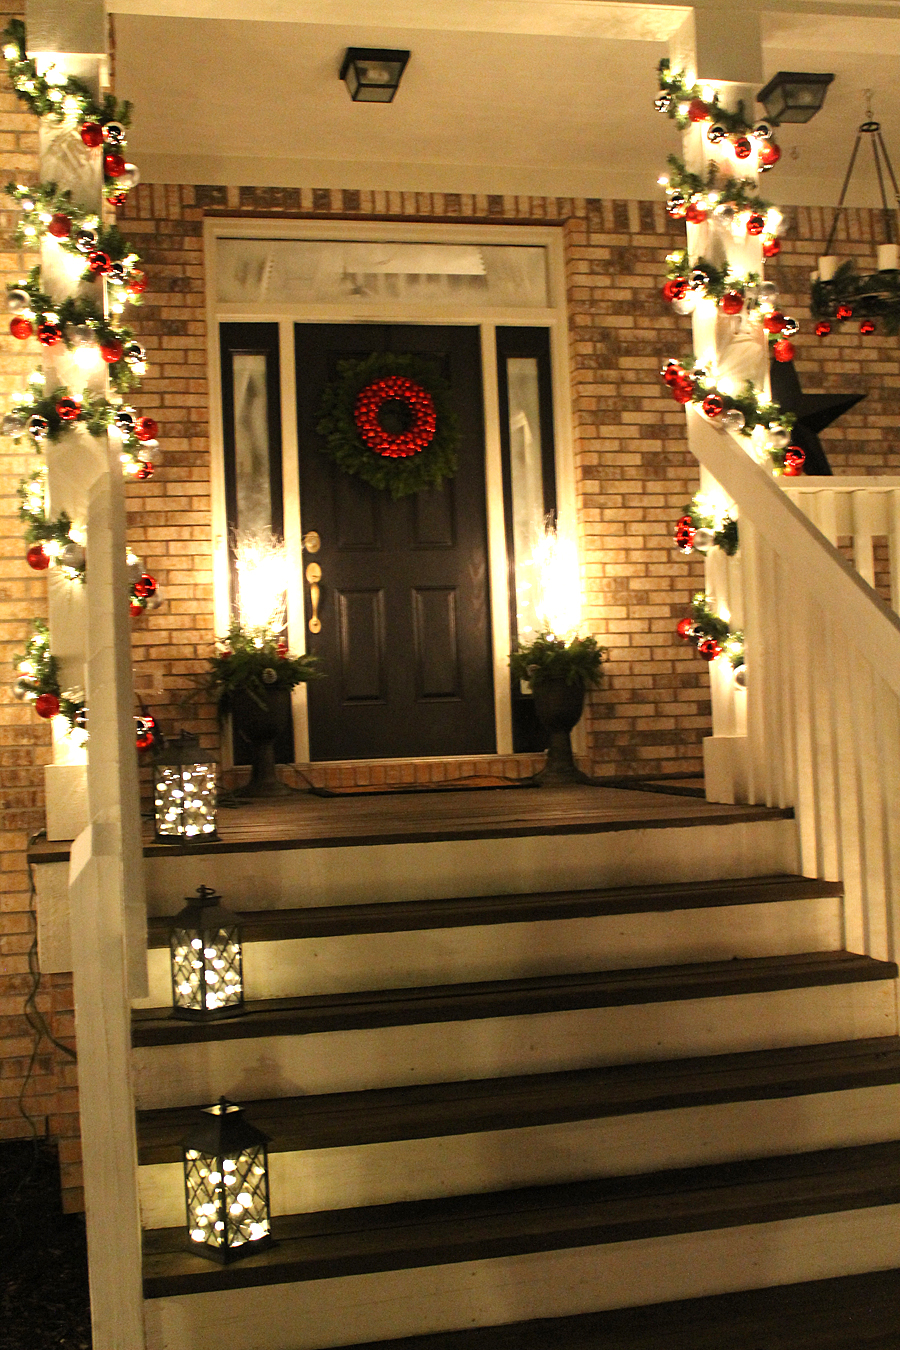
{"x":389,"y":421}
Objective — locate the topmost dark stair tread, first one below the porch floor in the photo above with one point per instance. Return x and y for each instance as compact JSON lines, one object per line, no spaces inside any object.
{"x":408,"y":916}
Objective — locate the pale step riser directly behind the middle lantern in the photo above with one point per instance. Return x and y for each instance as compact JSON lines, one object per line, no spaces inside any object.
{"x":515,"y":951}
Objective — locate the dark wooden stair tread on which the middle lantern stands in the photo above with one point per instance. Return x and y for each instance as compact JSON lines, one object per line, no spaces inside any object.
{"x":513,"y":998}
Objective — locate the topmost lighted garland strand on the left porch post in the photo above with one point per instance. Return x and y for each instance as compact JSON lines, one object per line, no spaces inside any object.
{"x":101,"y":124}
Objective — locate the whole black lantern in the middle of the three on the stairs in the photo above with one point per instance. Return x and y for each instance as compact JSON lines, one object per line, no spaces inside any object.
{"x":207,"y":979}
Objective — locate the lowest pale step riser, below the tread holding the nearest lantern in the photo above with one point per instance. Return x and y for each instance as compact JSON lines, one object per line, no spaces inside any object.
{"x":372,"y":1307}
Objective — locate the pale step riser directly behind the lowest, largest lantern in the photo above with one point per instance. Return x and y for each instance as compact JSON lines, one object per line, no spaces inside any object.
{"x":465,"y":1164}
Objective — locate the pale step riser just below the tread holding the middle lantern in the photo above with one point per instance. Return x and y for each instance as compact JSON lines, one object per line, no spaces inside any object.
{"x":342,"y":1062}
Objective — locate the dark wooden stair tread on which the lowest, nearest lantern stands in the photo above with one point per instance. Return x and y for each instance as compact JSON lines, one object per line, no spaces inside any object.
{"x":423,"y":1233}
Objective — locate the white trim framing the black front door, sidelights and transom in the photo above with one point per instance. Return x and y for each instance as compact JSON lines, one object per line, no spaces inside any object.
{"x":555,"y":318}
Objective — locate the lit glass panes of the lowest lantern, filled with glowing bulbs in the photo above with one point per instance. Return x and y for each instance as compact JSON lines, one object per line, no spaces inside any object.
{"x":227,"y":1199}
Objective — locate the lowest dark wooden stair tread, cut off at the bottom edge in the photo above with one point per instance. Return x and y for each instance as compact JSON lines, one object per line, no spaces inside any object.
{"x":848,"y":1313}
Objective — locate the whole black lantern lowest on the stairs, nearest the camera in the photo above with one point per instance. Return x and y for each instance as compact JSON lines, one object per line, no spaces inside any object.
{"x":227,"y":1185}
